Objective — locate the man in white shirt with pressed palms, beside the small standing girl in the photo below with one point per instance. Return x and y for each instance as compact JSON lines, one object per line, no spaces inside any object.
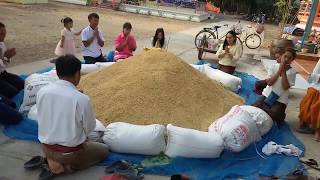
{"x":93,"y":41}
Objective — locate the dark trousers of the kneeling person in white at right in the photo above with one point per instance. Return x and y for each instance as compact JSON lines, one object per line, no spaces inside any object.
{"x":277,"y":111}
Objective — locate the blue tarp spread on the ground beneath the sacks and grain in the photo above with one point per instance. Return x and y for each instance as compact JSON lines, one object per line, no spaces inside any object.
{"x":247,"y":164}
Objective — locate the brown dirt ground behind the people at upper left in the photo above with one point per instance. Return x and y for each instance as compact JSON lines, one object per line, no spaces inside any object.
{"x":34,"y":30}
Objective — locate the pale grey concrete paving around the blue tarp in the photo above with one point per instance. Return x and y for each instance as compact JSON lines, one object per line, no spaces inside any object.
{"x":13,"y":153}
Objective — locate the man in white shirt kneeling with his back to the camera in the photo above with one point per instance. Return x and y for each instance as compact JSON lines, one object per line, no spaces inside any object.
{"x":66,"y":118}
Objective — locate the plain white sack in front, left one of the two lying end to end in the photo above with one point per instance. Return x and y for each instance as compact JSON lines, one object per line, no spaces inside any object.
{"x":136,"y":139}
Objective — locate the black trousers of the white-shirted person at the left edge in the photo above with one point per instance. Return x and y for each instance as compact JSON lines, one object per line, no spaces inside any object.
{"x":10,"y":84}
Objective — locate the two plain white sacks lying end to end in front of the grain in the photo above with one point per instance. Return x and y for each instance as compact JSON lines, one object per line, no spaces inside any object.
{"x":150,"y":140}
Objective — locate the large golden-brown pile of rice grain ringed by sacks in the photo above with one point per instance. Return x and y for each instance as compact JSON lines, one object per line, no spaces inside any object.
{"x":157,"y":87}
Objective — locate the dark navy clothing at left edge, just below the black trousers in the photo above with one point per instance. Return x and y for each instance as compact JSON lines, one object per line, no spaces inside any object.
{"x":8,"y":113}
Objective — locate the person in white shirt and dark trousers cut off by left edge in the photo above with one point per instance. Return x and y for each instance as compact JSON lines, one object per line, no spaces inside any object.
{"x":10,"y":84}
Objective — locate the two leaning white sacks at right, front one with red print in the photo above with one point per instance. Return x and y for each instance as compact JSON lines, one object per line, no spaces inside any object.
{"x":241,"y":126}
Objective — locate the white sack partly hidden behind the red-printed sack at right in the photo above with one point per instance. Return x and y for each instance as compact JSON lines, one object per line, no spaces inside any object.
{"x":262,"y":119}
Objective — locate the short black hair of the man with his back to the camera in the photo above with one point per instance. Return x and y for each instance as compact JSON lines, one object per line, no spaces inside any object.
{"x":67,"y":65}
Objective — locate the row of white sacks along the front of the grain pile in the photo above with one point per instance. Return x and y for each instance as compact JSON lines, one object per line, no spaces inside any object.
{"x":235,"y":131}
